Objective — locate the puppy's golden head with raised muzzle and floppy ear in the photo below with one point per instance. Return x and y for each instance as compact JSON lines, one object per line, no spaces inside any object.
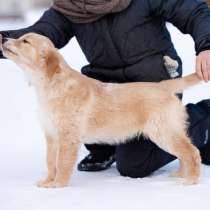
{"x":35,"y":53}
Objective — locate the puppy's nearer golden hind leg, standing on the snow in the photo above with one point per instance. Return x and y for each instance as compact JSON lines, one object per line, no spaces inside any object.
{"x":180,"y":146}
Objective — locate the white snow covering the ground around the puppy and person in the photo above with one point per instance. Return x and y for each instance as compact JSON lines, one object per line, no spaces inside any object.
{"x":22,"y":153}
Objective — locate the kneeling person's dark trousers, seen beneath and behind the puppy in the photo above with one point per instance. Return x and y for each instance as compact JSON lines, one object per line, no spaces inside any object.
{"x":140,"y":157}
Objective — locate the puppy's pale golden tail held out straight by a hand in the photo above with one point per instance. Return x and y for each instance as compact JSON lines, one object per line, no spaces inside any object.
{"x":178,"y":85}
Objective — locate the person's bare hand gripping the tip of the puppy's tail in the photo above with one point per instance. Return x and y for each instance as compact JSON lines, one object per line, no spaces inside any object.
{"x":203,"y":65}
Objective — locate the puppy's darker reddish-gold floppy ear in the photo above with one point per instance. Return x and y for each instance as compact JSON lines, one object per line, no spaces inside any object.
{"x":51,"y":62}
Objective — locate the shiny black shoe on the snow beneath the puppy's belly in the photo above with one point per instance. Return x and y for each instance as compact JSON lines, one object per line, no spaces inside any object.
{"x":96,"y":162}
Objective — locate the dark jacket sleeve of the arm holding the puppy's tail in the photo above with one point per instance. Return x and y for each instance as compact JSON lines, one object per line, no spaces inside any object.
{"x":190,"y":16}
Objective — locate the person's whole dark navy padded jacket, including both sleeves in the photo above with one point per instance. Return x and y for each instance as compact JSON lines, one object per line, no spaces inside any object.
{"x":128,"y":46}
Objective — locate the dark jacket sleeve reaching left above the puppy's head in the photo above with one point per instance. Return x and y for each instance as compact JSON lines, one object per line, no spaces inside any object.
{"x":52,"y":24}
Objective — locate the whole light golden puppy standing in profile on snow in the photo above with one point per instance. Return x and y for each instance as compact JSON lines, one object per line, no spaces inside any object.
{"x":76,"y":109}
